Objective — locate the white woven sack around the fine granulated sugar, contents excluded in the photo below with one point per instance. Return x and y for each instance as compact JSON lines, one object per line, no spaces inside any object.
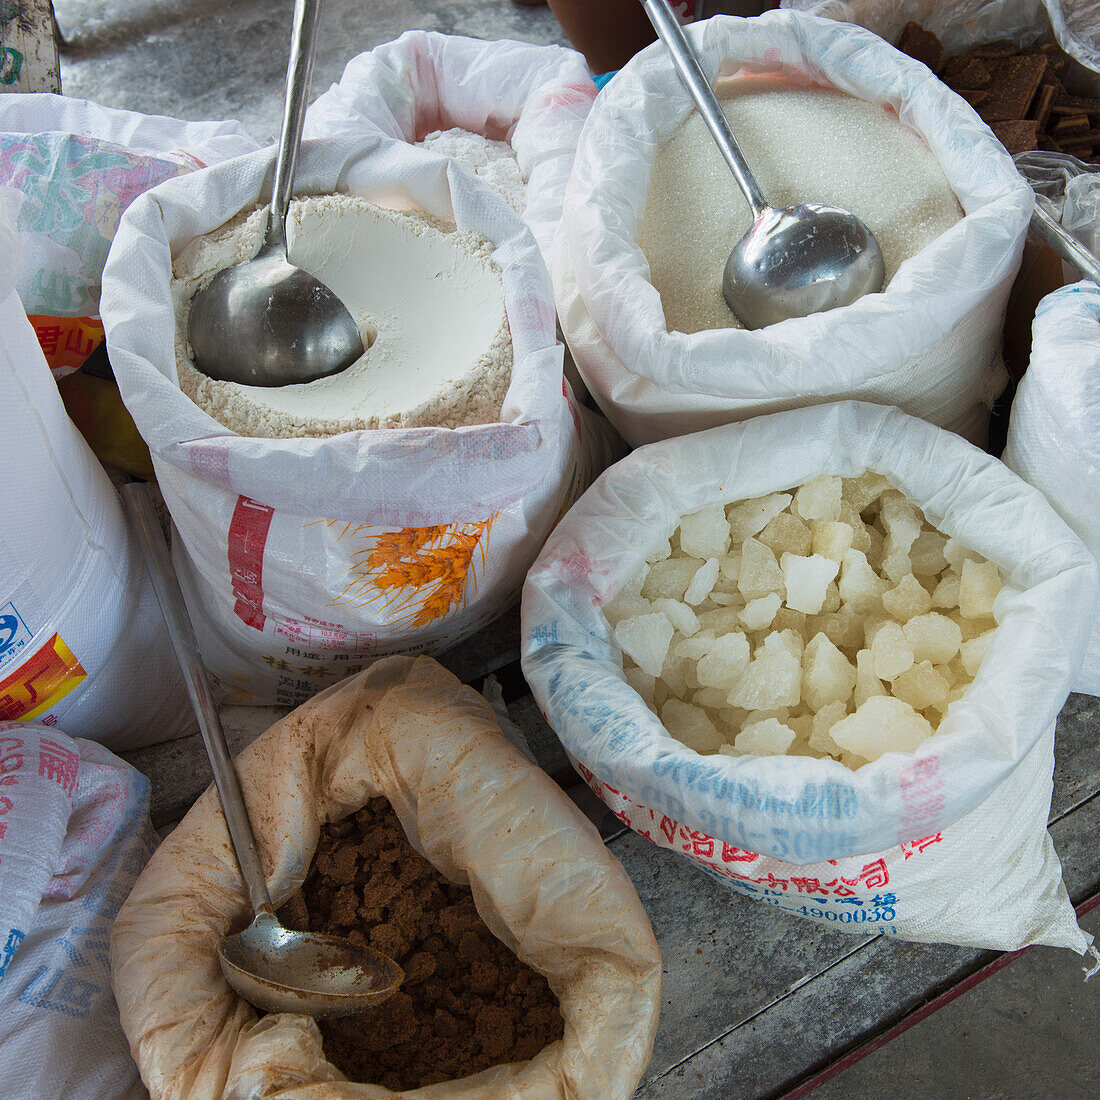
{"x":929,"y":345}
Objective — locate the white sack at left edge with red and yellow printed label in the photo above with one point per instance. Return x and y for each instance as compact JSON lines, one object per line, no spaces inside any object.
{"x":82,"y":640}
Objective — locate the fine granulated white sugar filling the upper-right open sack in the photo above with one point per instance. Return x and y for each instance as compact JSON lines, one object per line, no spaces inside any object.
{"x":805,"y":146}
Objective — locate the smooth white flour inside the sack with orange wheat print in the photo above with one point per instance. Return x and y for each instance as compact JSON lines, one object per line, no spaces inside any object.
{"x":430,"y":295}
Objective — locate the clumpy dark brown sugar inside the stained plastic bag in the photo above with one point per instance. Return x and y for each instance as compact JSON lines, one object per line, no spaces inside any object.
{"x":467,"y":1004}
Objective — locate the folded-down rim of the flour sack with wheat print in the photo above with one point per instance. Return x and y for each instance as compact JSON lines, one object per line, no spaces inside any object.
{"x":356,"y":471}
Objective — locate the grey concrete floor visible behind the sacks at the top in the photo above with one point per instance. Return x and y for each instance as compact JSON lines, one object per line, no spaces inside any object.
{"x":207,"y":60}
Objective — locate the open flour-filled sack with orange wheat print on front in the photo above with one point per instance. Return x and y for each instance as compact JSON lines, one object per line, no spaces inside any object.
{"x":395,"y":507}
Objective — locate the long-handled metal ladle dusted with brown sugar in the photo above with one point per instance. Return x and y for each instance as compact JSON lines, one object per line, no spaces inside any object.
{"x":270,"y":966}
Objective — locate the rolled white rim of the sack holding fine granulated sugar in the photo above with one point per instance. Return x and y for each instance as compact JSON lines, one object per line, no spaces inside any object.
{"x":601,"y":216}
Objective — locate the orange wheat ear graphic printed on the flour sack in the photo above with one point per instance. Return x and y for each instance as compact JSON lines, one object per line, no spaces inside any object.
{"x":419,"y":573}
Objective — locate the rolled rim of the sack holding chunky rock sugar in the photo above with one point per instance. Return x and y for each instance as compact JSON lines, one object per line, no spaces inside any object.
{"x":574,"y":666}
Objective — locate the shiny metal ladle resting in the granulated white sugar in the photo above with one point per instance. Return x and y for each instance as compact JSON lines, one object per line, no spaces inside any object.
{"x":794,"y":262}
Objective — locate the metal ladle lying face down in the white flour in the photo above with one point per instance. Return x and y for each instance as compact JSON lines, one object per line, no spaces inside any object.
{"x":267,"y":323}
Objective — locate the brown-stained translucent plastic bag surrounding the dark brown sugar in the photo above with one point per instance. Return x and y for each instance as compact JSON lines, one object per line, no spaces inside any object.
{"x":470,"y":804}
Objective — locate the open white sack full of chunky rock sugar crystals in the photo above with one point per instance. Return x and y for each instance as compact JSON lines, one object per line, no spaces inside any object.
{"x":821,"y":654}
